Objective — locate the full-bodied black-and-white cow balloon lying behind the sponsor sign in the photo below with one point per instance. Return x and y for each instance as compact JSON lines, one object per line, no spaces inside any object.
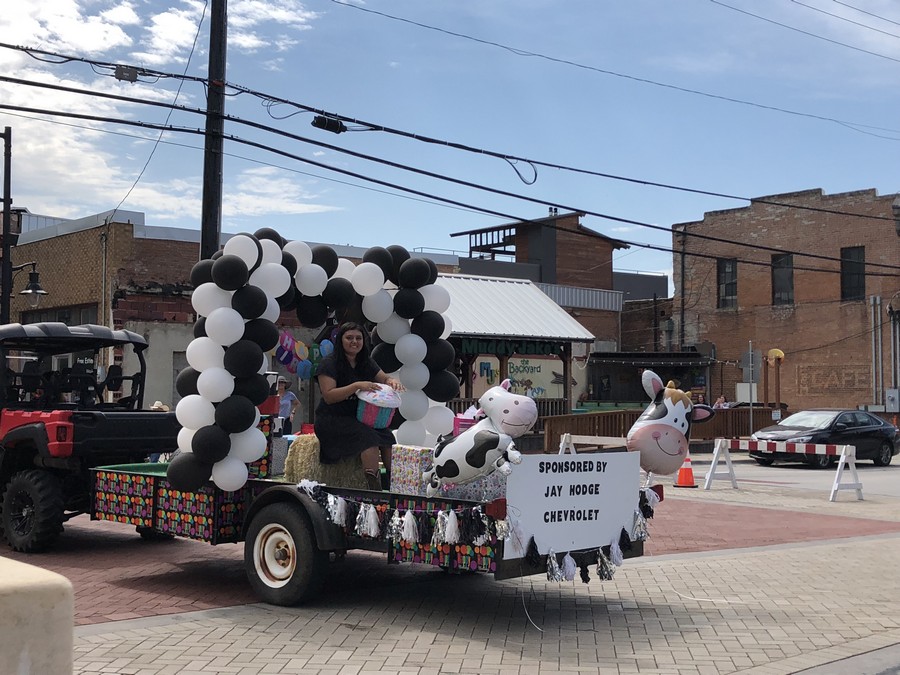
{"x":487,"y":445}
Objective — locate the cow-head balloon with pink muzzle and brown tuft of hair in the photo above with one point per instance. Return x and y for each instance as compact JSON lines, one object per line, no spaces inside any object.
{"x":662,"y":432}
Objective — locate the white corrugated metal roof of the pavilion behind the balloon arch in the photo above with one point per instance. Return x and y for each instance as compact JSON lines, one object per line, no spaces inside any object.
{"x":507,"y":308}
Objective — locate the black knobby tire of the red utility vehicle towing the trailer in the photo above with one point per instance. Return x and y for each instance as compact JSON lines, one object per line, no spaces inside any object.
{"x":32,"y":511}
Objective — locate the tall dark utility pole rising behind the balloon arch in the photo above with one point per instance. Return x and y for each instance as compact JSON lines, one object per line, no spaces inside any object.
{"x":211,"y":210}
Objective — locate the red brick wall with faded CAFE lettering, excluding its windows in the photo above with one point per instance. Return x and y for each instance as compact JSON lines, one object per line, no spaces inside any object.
{"x":827,"y":342}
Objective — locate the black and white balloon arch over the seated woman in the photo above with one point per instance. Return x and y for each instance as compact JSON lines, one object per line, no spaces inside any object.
{"x":239,"y":295}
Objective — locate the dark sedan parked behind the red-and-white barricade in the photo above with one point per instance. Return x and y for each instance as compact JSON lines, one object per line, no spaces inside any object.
{"x":873,"y":437}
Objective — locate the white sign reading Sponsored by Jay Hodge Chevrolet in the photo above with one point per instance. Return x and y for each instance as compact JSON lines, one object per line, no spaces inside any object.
{"x":569,"y":502}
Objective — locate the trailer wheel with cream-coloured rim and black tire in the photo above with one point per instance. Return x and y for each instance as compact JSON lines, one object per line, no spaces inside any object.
{"x":281,"y":557}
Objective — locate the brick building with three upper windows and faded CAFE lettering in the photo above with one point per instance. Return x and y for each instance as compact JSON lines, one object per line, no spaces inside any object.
{"x":757,"y":278}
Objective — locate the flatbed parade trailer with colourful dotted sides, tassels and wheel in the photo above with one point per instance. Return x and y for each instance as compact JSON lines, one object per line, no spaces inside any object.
{"x":290,"y":531}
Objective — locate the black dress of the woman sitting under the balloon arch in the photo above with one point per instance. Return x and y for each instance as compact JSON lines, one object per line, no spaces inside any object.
{"x":340,"y":434}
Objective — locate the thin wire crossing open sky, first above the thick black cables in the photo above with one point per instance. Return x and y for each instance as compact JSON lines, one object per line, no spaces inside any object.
{"x":522,"y":52}
